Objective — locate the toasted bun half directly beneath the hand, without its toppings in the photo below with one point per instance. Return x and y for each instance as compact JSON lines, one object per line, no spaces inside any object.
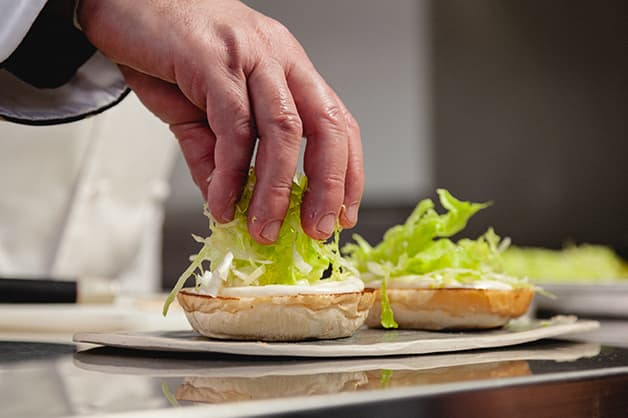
{"x":277,"y":318}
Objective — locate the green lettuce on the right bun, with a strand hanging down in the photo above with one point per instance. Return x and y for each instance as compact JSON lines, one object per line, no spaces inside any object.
{"x":422,"y":246}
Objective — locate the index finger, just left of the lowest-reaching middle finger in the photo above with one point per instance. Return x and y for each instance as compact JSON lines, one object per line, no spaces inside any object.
{"x":229,"y":115}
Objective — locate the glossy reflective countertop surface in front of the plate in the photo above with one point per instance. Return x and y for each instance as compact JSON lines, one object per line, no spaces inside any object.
{"x":101,"y":380}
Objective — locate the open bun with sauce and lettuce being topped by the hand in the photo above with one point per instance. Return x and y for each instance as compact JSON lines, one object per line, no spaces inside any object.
{"x":246,"y":290}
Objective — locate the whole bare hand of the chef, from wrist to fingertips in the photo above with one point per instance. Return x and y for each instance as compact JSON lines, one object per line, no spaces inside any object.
{"x":221,"y":75}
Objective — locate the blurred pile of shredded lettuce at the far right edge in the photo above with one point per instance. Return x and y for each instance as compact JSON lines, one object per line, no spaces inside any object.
{"x":584,"y":263}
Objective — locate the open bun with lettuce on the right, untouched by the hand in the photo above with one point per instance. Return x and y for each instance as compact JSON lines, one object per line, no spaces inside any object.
{"x":425,"y":280}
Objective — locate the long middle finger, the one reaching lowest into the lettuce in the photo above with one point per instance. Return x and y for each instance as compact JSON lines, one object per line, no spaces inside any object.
{"x":280,"y":132}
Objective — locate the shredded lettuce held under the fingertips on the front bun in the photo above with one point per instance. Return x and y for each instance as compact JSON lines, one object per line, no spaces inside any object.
{"x":230,"y":257}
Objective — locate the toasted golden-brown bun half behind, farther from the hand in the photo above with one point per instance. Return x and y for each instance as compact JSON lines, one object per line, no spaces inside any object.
{"x":439,"y":309}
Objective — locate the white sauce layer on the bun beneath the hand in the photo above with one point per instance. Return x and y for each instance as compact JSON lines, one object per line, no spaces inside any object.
{"x":323,"y":287}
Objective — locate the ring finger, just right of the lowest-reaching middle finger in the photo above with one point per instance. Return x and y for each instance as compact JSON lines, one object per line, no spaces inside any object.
{"x":326,"y":153}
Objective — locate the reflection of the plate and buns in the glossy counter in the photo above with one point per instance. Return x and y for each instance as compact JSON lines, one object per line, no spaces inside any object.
{"x":222,"y":379}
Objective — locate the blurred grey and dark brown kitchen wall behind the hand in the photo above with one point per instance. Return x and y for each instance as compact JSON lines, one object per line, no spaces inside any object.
{"x":521,"y":103}
